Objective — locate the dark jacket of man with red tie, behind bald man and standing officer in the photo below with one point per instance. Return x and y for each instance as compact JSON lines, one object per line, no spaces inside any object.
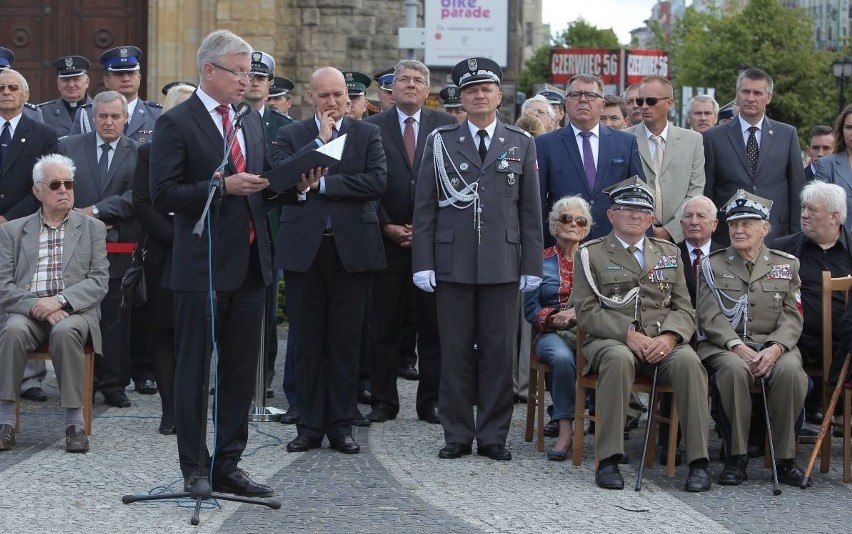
{"x":397,"y":204}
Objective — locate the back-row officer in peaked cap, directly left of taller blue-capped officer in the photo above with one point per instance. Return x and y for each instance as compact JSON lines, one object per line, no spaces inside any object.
{"x":72,"y":81}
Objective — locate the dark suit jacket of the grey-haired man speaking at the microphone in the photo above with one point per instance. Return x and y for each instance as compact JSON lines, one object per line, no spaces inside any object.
{"x":187,"y":149}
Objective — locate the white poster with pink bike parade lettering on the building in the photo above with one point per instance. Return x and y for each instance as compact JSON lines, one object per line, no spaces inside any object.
{"x":460,"y":29}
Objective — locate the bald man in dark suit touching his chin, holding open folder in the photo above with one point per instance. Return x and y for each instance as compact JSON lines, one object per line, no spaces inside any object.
{"x":327,"y":247}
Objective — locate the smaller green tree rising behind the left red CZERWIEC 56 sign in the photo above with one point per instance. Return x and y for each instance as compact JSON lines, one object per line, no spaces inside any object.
{"x":578,"y":34}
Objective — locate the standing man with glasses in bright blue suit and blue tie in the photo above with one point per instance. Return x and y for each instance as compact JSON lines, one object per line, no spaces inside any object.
{"x":584,"y":157}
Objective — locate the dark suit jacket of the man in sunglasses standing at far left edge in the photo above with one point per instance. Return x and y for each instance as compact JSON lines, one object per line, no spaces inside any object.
{"x":31,"y":140}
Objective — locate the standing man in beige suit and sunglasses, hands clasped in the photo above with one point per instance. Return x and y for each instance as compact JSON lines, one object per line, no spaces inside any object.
{"x":672,"y":157}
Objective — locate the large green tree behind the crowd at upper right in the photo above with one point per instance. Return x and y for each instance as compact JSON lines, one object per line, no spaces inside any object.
{"x":708,"y":49}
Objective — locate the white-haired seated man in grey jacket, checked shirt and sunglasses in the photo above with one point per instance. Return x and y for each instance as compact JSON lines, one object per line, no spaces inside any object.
{"x":53,"y":276}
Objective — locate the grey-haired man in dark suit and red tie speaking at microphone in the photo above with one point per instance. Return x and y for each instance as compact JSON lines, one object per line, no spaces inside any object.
{"x":189,"y":146}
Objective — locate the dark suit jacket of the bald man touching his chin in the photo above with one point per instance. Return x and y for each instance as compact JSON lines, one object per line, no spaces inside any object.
{"x":352,"y":187}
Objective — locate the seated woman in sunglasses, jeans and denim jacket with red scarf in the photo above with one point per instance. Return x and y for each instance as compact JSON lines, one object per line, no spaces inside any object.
{"x":553,"y":319}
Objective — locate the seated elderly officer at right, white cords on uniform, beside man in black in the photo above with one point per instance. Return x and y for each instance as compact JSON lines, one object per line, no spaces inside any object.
{"x":741,"y":344}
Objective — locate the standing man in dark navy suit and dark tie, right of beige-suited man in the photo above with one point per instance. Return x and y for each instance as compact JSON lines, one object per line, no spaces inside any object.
{"x":757,"y":154}
